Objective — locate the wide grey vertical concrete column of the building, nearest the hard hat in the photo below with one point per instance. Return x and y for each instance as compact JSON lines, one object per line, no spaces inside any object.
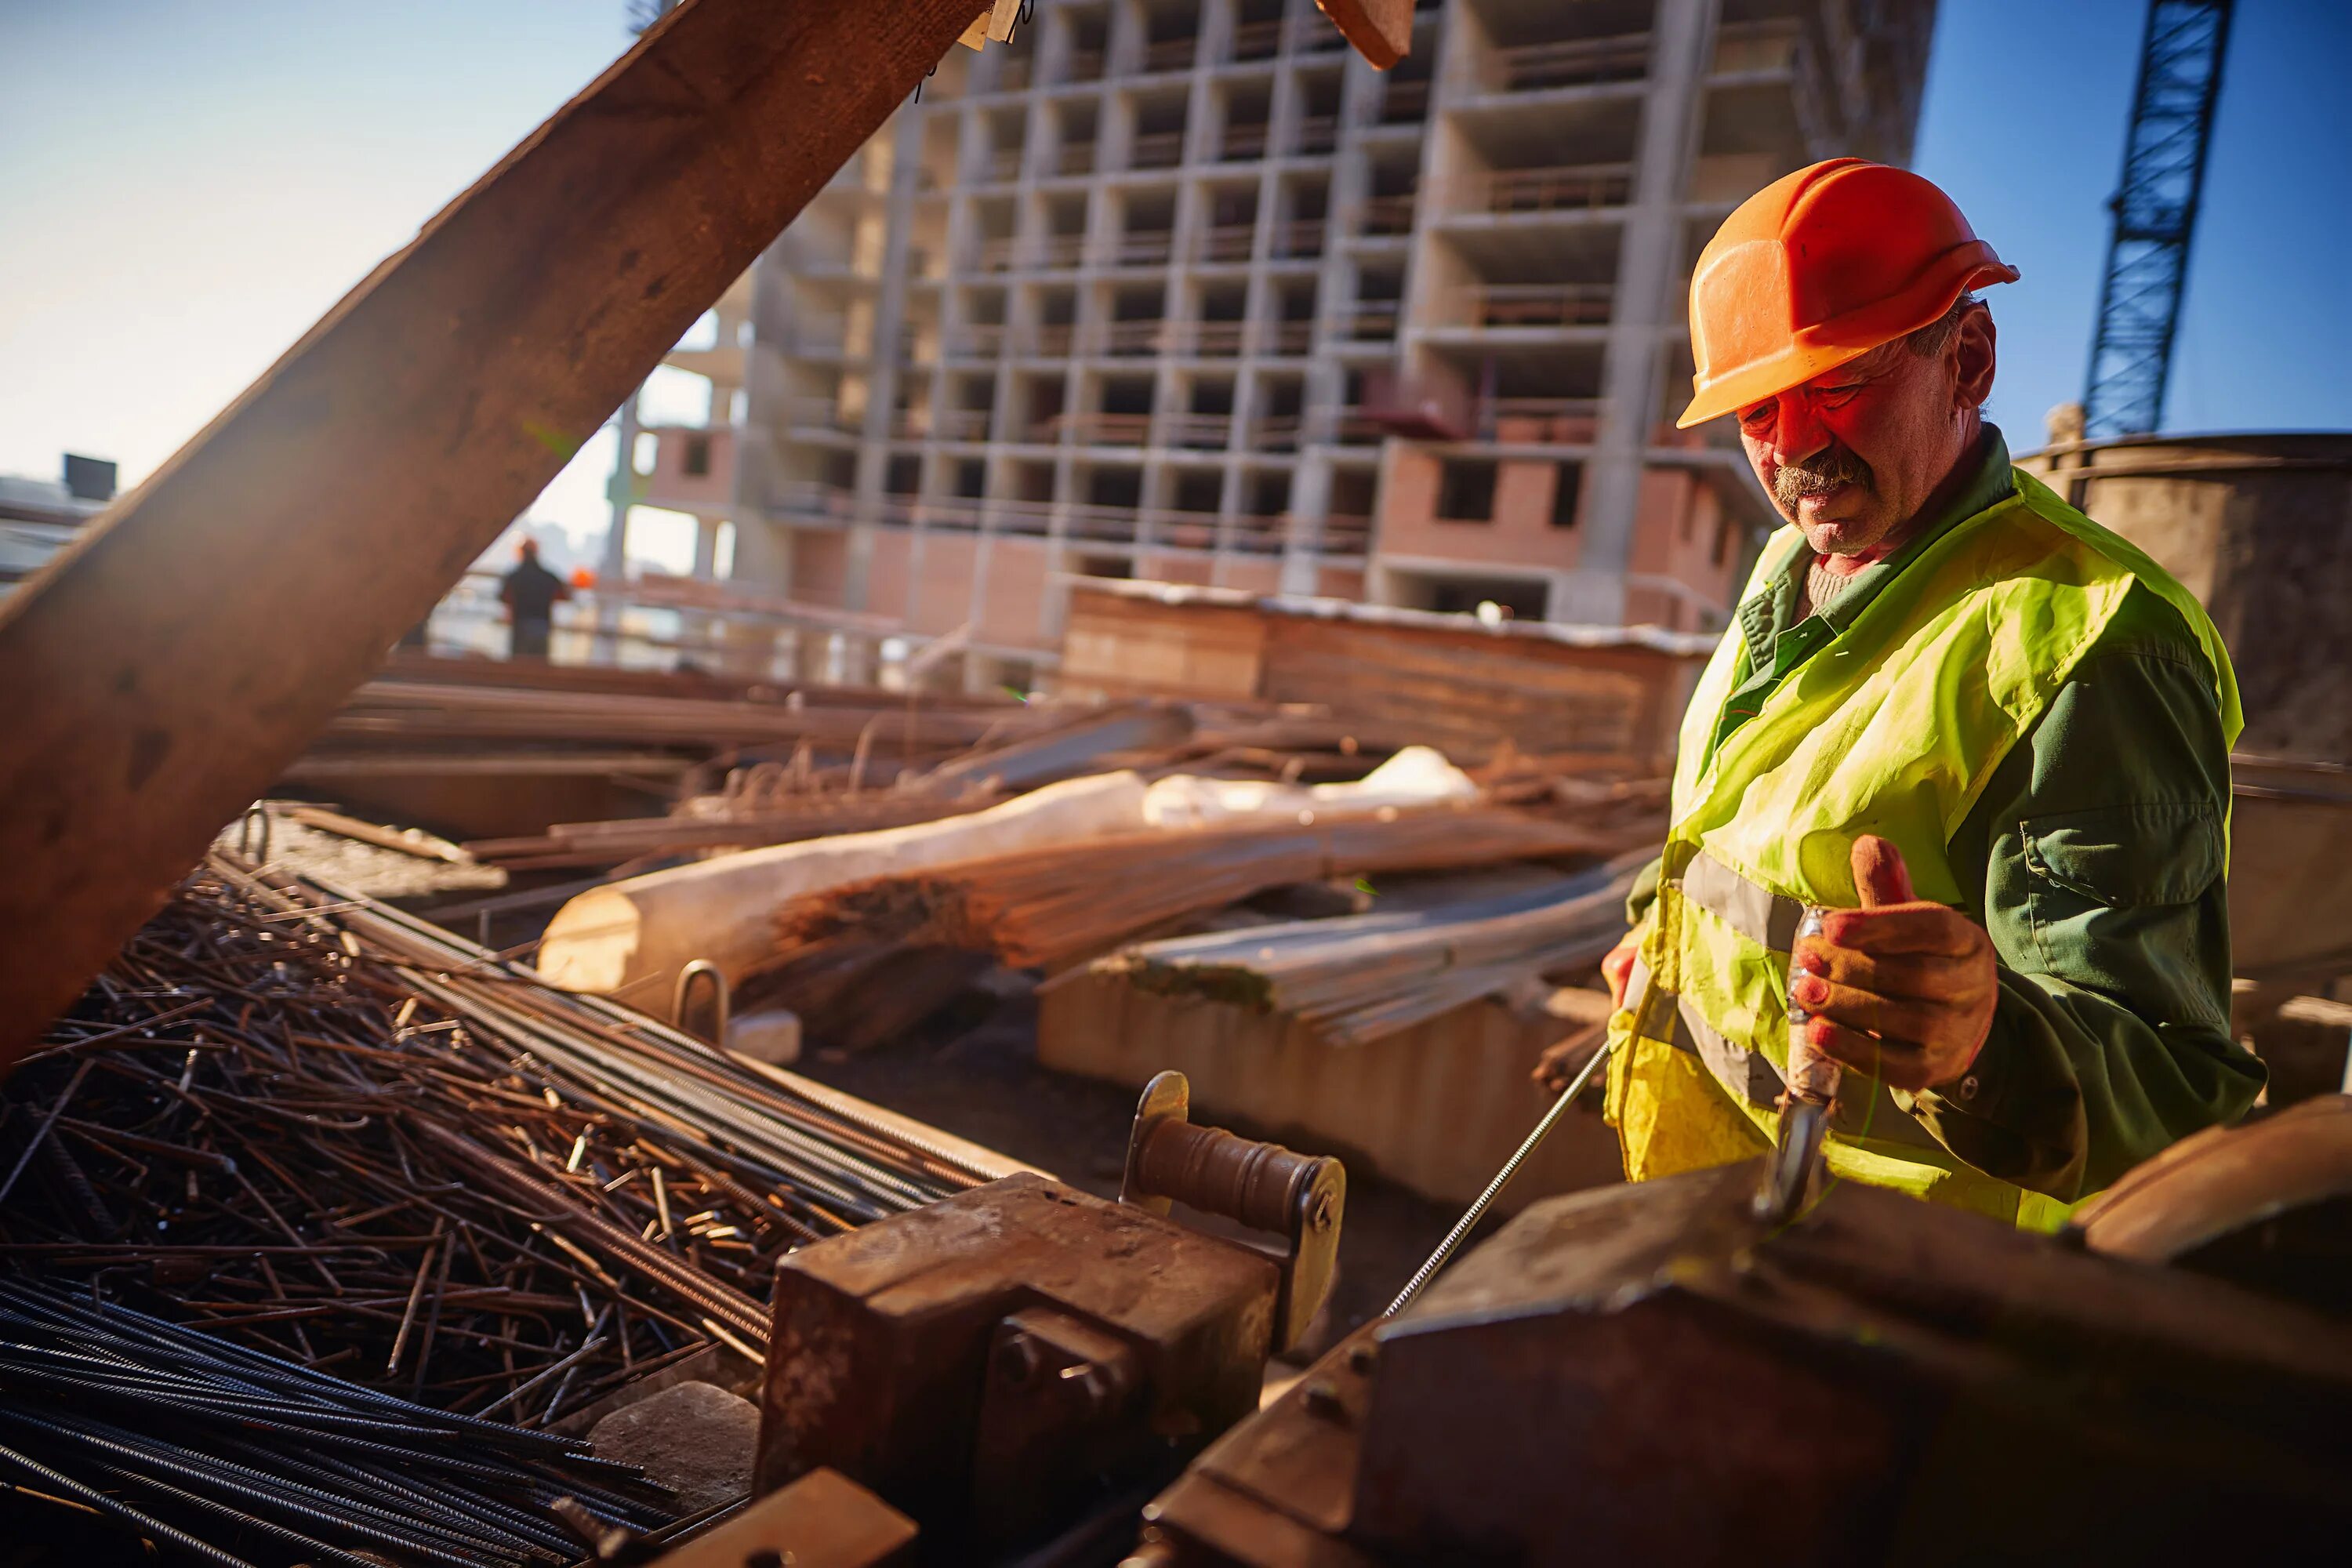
{"x":1645,"y":314}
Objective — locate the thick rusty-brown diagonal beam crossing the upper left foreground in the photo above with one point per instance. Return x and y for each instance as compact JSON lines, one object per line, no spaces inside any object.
{"x":161,"y":674}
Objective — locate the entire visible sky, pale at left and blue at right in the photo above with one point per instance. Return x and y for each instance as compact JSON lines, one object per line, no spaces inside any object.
{"x":187,"y":187}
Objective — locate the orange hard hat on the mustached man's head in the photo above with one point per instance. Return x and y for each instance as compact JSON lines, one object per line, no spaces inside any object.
{"x":1817,"y":269}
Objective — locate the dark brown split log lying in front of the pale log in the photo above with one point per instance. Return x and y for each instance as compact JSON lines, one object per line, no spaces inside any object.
{"x":864,"y":960}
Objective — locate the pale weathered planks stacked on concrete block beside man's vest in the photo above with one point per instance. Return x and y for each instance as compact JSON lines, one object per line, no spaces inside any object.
{"x":1370,"y":977}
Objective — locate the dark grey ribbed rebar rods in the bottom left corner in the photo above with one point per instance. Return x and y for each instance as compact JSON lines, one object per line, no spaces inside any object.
{"x":236,"y":1459}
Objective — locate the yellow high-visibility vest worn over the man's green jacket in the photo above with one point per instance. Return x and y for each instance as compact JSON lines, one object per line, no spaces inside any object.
{"x":1890,"y":730}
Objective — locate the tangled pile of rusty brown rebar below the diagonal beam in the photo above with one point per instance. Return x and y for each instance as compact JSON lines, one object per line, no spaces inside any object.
{"x":352,"y":1139}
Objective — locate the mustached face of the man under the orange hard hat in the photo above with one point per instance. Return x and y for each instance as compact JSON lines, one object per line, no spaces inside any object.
{"x":1855,"y":455}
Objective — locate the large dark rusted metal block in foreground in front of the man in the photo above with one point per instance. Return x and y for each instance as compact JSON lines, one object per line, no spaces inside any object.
{"x":1652,"y":1376}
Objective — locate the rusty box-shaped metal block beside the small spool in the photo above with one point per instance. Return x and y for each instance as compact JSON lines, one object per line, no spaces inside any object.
{"x":1001,"y":1358}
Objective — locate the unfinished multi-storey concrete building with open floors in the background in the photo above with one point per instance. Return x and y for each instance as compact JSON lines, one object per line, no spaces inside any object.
{"x":1189,"y":293}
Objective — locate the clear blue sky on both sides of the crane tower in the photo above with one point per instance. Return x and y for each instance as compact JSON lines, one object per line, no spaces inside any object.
{"x":2024,"y":126}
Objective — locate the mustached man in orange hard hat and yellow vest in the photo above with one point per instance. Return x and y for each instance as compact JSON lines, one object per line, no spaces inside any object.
{"x":1942,"y":657}
